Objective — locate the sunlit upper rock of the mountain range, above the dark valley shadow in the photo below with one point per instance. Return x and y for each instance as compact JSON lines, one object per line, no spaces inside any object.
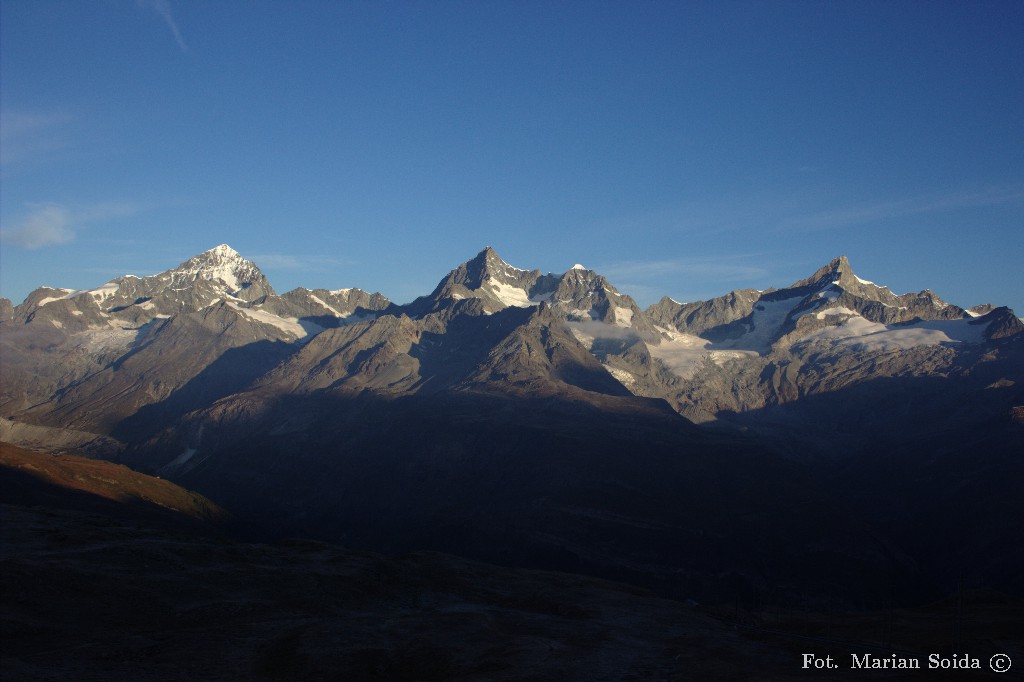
{"x":125,"y":346}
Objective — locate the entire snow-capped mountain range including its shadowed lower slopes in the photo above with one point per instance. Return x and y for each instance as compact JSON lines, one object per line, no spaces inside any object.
{"x":827,"y":438}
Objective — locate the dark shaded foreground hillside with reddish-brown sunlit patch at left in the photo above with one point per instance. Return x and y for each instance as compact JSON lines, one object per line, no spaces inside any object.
{"x":96,"y":589}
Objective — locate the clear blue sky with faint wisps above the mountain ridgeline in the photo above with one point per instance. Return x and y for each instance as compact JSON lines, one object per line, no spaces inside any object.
{"x":680,"y":149}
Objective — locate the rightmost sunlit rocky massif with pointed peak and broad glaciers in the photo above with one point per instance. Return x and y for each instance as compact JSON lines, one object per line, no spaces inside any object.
{"x":749,"y":352}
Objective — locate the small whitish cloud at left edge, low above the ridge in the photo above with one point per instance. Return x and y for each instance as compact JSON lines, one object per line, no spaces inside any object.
{"x":51,"y":225}
